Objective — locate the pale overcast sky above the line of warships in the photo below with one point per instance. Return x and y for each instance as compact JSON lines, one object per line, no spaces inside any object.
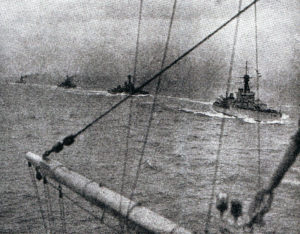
{"x":67,"y":36}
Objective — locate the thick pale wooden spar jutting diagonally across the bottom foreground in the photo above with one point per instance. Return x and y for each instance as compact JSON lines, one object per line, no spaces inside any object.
{"x":143,"y":218}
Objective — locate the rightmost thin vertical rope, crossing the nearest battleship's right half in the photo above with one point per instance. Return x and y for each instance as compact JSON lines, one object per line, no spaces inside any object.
{"x":257,"y":91}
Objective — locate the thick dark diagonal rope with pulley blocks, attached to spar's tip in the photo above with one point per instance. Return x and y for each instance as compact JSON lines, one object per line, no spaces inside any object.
{"x":67,"y":141}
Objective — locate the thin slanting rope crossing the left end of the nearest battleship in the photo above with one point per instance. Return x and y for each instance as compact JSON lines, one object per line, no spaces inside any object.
{"x":208,"y":217}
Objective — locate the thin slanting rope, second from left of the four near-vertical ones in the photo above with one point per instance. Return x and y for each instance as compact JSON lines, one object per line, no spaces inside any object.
{"x":152,"y":107}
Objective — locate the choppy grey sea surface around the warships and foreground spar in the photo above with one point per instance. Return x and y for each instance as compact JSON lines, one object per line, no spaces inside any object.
{"x":177,"y":171}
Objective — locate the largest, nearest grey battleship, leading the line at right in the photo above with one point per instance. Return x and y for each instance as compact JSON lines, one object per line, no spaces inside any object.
{"x":245,"y":104}
